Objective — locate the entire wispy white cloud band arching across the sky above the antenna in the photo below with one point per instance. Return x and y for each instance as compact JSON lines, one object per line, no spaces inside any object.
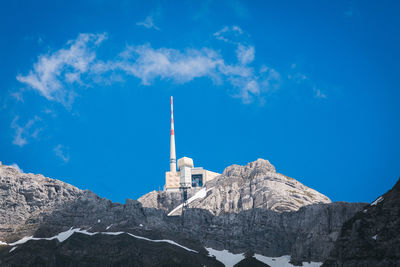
{"x":55,"y":74}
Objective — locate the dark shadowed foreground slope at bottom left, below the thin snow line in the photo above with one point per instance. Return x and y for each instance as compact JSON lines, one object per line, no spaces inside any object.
{"x":102,"y":250}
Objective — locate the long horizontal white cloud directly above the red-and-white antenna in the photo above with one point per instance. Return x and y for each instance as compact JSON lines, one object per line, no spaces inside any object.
{"x":147,"y":64}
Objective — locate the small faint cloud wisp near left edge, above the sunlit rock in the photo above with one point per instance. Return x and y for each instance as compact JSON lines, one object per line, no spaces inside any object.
{"x":23,"y":133}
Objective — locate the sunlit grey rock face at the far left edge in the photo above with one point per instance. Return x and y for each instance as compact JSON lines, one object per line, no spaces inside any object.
{"x":26,"y":198}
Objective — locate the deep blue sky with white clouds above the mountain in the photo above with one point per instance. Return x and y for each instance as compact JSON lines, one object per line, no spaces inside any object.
{"x":312,"y":86}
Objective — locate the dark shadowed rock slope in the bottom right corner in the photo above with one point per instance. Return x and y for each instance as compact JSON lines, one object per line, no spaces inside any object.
{"x":372,"y":236}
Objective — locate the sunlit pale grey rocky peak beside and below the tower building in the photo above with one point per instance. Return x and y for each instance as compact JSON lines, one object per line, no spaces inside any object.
{"x":239,"y":188}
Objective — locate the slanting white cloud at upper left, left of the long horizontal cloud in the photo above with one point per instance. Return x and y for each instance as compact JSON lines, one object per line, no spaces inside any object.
{"x":53,"y":73}
